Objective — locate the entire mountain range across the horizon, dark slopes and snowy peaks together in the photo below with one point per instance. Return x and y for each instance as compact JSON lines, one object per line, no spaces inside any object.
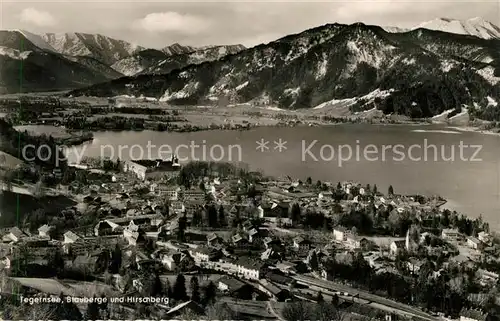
{"x":418,"y":72}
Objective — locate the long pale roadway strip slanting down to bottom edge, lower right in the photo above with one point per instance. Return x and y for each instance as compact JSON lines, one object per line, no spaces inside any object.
{"x":363,"y":295}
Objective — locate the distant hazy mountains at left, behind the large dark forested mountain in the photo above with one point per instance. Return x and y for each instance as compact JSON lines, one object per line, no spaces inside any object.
{"x":32,"y":62}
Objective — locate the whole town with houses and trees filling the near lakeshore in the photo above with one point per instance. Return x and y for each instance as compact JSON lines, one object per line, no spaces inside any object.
{"x":217,"y":240}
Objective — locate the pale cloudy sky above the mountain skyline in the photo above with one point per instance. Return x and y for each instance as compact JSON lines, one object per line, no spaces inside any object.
{"x":156,"y":24}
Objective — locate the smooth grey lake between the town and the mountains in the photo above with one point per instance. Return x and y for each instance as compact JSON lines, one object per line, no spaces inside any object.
{"x":471,"y":184}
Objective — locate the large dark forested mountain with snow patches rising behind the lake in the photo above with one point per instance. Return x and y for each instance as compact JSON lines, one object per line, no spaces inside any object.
{"x":425,"y":71}
